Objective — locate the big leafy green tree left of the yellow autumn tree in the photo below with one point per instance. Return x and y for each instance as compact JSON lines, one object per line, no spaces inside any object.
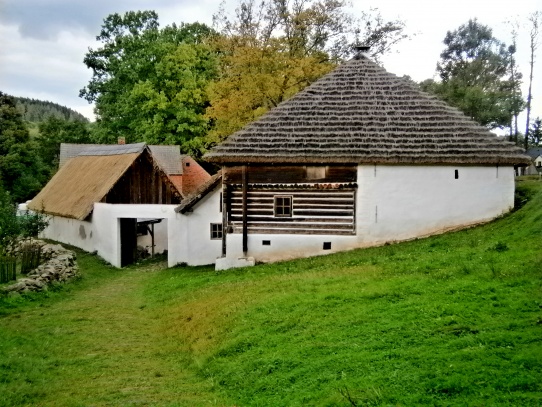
{"x":148,"y":82}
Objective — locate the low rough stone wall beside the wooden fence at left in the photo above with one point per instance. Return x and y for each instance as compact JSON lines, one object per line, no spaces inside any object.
{"x":58,"y":265}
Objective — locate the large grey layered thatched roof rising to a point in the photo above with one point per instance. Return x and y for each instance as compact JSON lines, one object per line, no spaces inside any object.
{"x":360,"y":113}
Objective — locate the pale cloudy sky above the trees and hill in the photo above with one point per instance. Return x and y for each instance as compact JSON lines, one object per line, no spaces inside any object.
{"x":43,"y":42}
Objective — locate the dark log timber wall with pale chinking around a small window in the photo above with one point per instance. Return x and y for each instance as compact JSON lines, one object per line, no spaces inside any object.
{"x":323,"y":202}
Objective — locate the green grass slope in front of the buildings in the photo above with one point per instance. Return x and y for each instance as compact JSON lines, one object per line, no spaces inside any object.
{"x":450,"y":320}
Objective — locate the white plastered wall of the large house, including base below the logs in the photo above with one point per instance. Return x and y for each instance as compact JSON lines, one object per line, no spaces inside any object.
{"x":396,"y":203}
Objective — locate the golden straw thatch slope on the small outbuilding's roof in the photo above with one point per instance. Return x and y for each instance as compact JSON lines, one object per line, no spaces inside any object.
{"x":80,"y":182}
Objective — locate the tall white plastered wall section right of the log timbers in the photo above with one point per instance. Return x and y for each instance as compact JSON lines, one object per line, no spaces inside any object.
{"x":402,"y":202}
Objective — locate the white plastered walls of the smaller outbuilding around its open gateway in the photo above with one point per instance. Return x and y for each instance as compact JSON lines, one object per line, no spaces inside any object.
{"x":186,"y":237}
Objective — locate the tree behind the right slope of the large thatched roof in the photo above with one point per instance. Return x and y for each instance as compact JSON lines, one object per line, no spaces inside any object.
{"x":475,"y":76}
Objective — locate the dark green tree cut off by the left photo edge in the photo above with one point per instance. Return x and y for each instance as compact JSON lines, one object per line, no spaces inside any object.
{"x":21,"y":170}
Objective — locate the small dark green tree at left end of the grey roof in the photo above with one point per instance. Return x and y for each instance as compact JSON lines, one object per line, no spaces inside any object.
{"x":55,"y":131}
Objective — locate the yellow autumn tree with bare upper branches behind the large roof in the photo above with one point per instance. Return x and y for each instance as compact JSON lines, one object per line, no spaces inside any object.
{"x":273,"y":49}
